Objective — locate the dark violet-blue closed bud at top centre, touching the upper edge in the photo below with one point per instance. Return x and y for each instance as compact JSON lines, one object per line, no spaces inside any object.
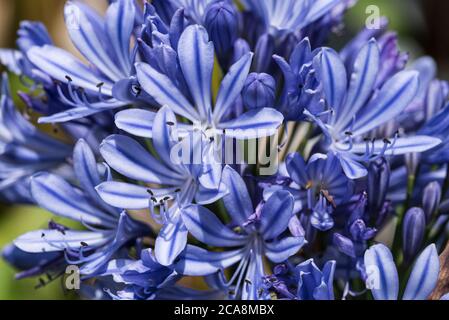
{"x":222,"y":24}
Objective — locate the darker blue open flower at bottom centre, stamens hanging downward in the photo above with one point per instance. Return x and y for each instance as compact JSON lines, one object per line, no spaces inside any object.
{"x":258,"y":234}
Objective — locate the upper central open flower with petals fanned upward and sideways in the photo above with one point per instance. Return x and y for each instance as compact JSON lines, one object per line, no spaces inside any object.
{"x":196,"y":57}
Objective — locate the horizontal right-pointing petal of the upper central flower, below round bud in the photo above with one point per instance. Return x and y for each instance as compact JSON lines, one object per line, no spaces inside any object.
{"x":253,"y":124}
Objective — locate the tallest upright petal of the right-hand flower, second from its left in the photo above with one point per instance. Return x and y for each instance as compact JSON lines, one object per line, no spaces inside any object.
{"x":363,"y":79}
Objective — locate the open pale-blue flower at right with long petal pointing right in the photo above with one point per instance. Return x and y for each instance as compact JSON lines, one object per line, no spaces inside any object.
{"x":356,"y":108}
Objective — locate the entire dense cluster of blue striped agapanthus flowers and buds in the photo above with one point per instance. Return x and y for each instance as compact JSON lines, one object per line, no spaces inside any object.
{"x":223,"y":141}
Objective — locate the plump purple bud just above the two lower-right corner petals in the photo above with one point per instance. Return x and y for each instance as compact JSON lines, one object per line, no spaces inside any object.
{"x":413,"y":229}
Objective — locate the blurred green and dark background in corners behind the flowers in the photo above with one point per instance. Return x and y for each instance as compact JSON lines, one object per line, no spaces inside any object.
{"x":422,"y":26}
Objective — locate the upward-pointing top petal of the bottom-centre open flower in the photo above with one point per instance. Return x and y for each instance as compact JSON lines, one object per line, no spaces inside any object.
{"x":237,"y":202}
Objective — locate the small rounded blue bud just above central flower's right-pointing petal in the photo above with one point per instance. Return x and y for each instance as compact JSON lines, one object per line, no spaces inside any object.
{"x":259,"y":91}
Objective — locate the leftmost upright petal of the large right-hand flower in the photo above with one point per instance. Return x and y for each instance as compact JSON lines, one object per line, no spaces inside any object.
{"x":334,"y":78}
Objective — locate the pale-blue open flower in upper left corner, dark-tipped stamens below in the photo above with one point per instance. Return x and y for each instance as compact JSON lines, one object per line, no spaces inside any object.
{"x":105,"y":43}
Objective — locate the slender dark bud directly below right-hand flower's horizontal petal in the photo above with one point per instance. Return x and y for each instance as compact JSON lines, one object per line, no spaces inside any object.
{"x":378,"y":181}
